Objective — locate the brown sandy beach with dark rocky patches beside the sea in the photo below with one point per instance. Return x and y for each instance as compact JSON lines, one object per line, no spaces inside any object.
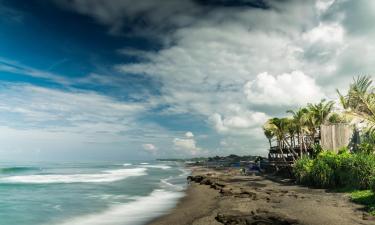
{"x":217,"y":197}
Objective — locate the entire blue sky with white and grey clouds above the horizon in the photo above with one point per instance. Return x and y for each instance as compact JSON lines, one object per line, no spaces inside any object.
{"x":145,"y":79}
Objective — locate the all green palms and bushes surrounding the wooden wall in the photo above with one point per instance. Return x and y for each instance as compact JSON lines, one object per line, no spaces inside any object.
{"x":352,"y":169}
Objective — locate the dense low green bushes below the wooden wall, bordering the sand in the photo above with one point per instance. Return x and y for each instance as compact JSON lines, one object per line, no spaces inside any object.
{"x":330,"y":170}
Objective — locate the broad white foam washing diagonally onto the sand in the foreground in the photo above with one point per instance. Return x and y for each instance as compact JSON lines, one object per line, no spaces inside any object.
{"x":133,"y":213}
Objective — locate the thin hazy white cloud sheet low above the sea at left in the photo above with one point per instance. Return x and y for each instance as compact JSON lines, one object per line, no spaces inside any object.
{"x":71,"y":121}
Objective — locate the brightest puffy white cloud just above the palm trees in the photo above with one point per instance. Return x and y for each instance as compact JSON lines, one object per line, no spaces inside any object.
{"x":288,"y":89}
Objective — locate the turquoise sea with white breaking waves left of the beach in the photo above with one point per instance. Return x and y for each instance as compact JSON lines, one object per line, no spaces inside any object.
{"x":88,"y":193}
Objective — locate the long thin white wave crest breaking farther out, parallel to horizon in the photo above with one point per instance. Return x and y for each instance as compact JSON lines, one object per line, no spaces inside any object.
{"x":105,"y":176}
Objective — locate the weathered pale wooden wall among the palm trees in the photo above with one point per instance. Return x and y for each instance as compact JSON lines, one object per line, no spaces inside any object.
{"x":336,"y":136}
